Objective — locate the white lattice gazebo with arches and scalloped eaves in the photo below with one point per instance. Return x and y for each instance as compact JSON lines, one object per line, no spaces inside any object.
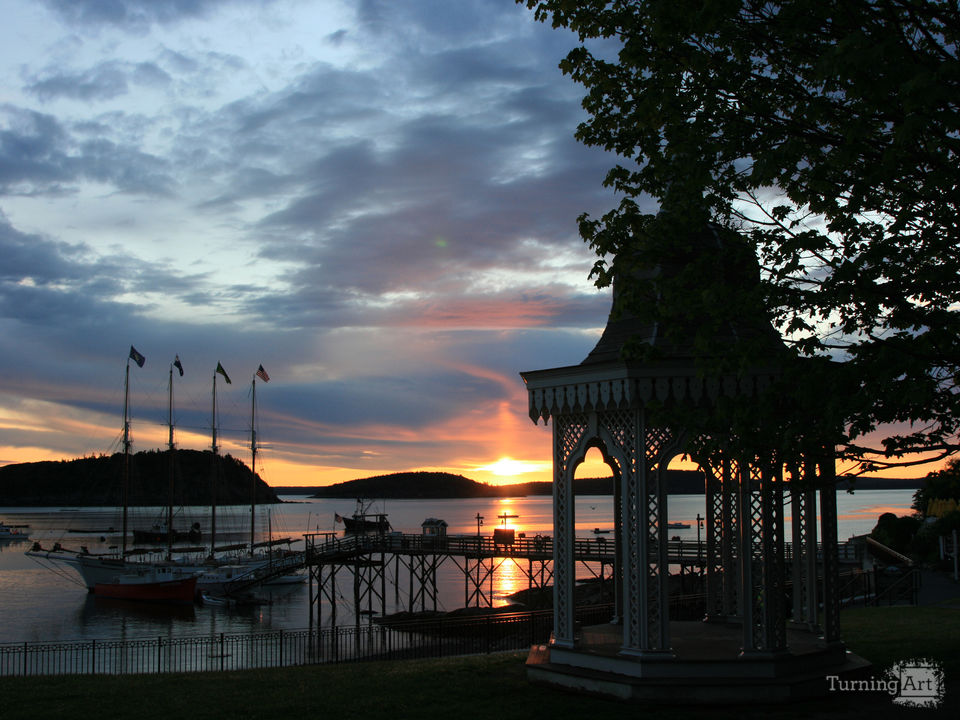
{"x":744,"y":649}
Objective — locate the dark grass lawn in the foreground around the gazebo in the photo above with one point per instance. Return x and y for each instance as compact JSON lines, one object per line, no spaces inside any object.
{"x":490,"y":687}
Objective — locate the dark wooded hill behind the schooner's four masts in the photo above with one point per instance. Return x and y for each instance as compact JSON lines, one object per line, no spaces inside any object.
{"x":97,"y":481}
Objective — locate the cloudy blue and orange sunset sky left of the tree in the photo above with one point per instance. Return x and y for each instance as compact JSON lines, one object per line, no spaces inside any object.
{"x":375,"y":200}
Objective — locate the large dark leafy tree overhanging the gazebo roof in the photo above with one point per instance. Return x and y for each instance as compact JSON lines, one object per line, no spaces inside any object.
{"x":825,"y":134}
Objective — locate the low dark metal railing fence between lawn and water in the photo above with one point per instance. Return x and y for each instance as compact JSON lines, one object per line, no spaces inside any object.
{"x":284,"y":648}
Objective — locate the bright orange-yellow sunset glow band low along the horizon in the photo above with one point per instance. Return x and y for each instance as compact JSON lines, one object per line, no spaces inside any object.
{"x":494,"y":442}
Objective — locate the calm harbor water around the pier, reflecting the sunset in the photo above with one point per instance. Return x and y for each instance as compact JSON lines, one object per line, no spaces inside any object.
{"x":38,"y":604}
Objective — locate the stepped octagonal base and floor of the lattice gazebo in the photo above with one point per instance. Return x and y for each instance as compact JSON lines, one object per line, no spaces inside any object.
{"x":705,"y":667}
